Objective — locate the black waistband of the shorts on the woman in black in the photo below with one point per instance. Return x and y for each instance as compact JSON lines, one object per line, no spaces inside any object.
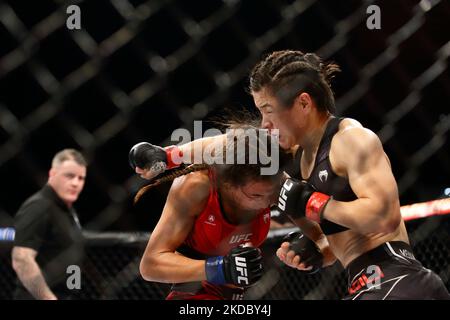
{"x":392,"y":250}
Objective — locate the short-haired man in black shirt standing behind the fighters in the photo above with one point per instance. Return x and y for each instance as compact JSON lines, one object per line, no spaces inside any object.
{"x":48,"y":233}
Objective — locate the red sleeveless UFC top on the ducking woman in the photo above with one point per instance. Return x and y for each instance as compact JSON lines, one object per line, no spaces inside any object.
{"x":212,"y":235}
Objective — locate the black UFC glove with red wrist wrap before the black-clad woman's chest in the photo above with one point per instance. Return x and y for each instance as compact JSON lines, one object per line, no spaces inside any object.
{"x":300,"y":199}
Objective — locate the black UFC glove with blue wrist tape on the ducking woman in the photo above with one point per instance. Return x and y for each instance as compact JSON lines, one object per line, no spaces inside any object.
{"x":242,"y":266}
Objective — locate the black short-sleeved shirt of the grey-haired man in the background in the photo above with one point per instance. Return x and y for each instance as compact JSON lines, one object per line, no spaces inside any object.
{"x":45,"y":223}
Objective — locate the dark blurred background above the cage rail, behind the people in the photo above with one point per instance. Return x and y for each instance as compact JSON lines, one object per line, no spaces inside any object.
{"x":137,"y":70}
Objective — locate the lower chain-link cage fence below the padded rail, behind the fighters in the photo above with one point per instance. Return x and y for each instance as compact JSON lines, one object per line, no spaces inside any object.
{"x":111,"y":269}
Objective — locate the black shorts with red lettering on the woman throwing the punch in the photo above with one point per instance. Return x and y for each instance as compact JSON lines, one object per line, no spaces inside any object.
{"x":390,"y":272}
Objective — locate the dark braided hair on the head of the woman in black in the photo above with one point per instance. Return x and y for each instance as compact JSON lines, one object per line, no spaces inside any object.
{"x":287,"y":73}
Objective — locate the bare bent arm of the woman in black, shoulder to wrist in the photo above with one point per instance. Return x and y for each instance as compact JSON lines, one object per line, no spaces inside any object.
{"x":358,"y":153}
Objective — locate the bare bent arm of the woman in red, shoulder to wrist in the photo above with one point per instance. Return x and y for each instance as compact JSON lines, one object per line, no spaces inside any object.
{"x":160,"y":262}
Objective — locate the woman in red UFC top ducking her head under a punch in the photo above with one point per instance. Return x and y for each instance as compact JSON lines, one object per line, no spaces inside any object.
{"x":206,"y":241}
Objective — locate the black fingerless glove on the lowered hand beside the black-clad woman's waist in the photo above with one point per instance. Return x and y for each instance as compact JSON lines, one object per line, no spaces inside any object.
{"x":306,"y":249}
